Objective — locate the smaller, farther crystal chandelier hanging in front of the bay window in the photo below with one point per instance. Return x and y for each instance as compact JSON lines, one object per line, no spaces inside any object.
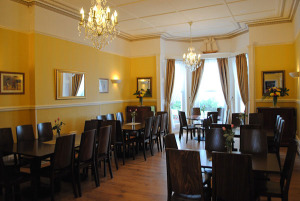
{"x":191,"y":59}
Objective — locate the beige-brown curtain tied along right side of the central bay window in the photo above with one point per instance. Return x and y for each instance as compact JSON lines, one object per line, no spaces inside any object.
{"x":224,"y":78}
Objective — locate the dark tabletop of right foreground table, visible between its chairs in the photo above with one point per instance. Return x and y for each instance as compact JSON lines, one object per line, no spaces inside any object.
{"x":267,"y":163}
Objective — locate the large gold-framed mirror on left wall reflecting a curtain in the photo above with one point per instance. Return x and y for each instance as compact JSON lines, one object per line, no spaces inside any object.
{"x":70,"y":84}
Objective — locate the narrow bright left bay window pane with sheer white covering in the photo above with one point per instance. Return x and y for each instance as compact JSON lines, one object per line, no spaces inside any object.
{"x":179,"y":96}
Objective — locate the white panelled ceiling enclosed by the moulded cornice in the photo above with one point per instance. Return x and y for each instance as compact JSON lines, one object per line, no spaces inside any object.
{"x":169,"y":18}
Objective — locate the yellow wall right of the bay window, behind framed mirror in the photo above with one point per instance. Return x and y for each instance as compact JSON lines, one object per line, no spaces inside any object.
{"x":276,"y":57}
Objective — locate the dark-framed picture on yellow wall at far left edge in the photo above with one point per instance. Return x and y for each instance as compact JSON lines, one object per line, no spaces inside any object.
{"x":12,"y":83}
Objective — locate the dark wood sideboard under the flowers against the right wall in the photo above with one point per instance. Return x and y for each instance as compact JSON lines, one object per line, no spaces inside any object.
{"x":289,"y":114}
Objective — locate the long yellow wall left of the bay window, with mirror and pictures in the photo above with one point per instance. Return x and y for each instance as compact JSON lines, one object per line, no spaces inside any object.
{"x":38,"y":56}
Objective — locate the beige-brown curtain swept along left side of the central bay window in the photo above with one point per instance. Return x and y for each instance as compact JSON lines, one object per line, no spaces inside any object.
{"x":196,"y":81}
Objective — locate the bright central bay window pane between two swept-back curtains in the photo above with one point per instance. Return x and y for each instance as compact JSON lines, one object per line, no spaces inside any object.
{"x":210,"y":92}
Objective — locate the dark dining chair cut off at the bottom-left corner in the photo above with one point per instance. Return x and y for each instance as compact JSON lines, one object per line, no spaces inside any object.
{"x":10,"y":179}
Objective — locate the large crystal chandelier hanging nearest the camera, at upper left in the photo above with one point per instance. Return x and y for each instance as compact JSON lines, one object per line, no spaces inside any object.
{"x":101,"y":25}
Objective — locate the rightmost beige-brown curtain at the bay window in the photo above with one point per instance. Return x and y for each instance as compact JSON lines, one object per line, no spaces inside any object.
{"x":242,"y":74}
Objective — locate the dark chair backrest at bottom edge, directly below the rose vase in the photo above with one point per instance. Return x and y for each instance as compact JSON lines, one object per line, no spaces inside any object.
{"x":232,"y":177}
